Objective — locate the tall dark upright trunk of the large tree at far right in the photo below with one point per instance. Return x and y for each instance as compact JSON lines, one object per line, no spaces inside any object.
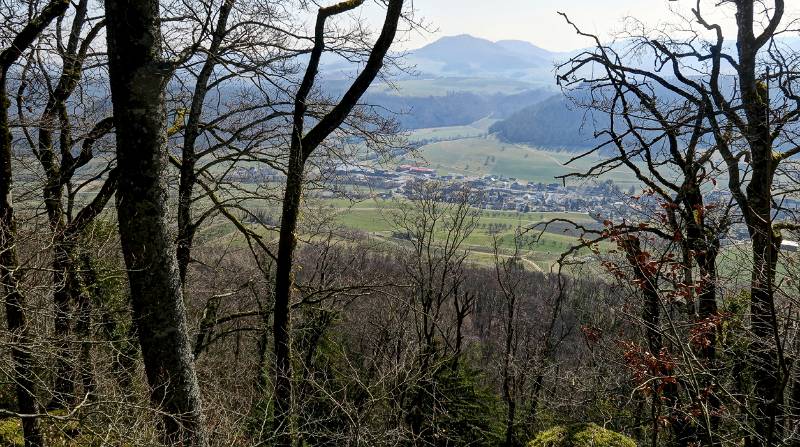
{"x":765,"y":354}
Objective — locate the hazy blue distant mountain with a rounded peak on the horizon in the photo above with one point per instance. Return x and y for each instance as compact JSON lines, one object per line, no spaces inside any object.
{"x":461,"y":79}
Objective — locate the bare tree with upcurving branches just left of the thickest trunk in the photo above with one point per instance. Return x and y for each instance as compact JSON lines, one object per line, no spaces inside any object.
{"x":63,"y":180}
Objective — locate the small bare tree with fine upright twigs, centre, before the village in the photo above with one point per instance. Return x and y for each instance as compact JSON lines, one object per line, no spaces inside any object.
{"x":435,"y":223}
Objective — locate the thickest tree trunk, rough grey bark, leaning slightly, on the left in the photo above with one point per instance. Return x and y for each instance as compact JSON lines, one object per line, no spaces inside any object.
{"x":138,"y":77}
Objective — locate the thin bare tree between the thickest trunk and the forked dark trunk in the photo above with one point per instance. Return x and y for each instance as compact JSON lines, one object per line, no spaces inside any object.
{"x":235,"y":111}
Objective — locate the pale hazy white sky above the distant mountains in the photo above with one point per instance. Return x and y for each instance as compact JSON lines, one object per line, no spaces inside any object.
{"x":537,"y":21}
